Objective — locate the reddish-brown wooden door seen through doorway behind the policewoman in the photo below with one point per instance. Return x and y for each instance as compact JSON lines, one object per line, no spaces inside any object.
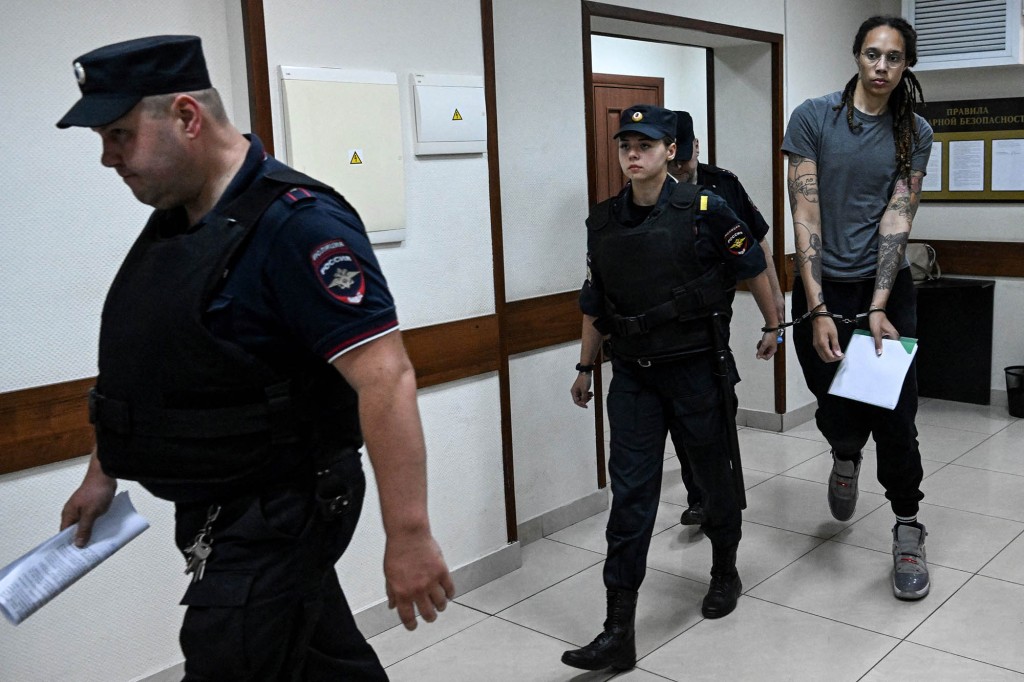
{"x":613,"y":94}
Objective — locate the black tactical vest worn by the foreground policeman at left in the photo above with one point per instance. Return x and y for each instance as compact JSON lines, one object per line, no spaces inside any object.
{"x":188,"y":414}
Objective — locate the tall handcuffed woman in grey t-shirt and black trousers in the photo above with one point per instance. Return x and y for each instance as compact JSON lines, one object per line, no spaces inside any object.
{"x":857,"y":163}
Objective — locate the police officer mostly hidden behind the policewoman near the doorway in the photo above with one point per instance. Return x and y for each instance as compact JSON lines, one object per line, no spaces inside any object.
{"x":686,"y":168}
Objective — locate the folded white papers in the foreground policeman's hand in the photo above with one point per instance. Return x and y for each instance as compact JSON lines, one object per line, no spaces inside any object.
{"x":48,"y":571}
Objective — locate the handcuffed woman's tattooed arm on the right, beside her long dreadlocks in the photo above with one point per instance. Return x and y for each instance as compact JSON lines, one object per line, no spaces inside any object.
{"x":894,"y":231}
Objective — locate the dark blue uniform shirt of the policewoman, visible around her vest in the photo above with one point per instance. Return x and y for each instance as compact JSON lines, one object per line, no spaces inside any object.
{"x":719,"y":231}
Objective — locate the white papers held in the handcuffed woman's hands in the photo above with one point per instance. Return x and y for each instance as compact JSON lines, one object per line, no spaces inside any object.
{"x":874,"y":379}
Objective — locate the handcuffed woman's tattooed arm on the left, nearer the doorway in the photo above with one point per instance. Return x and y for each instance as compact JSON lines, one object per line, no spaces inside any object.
{"x":803,"y":184}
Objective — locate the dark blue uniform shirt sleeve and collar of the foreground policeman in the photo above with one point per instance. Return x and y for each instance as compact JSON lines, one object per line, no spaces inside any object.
{"x":309,"y":284}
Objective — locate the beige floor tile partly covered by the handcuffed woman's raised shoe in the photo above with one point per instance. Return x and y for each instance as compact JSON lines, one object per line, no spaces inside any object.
{"x":801,"y":506}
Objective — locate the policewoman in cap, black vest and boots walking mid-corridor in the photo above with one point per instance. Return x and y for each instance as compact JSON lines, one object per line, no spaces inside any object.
{"x":660,"y":260}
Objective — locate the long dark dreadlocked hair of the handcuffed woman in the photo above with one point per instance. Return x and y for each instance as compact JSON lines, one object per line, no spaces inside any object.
{"x":905,"y":98}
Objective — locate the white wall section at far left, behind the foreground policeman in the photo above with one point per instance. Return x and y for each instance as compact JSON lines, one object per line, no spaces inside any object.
{"x":67,"y":224}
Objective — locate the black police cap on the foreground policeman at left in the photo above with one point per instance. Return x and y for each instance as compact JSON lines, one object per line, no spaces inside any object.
{"x":115,"y":78}
